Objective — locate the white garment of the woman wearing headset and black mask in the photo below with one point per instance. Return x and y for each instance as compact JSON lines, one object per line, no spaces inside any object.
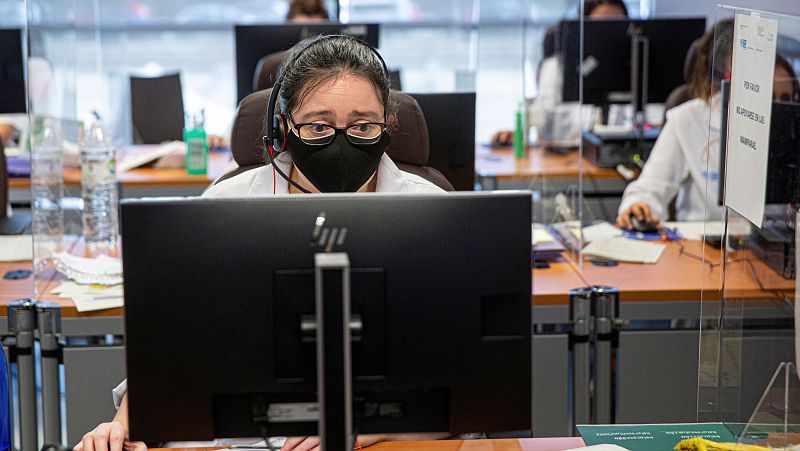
{"x":258,"y":182}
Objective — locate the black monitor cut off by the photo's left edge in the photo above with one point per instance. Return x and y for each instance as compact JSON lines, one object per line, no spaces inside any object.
{"x":12,"y":74}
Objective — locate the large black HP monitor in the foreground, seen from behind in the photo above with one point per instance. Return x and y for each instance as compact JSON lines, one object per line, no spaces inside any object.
{"x":219,"y":295}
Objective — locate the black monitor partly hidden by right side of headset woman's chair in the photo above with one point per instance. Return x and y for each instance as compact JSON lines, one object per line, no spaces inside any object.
{"x":451,"y":142}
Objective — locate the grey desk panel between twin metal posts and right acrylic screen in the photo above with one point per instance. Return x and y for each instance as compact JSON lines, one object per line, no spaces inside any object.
{"x":657,"y":376}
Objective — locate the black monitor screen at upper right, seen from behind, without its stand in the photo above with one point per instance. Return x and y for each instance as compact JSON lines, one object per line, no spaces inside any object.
{"x":607,"y":57}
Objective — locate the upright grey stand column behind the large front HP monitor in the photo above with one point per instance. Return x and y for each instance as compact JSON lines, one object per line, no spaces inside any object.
{"x":334,"y":370}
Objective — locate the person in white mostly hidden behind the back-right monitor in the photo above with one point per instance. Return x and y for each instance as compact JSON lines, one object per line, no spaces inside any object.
{"x":550,"y":74}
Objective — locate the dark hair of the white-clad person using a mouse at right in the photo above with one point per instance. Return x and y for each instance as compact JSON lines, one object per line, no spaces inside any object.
{"x":715,"y":43}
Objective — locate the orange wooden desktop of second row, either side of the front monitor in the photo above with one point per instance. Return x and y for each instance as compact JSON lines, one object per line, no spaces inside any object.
{"x":676,"y":277}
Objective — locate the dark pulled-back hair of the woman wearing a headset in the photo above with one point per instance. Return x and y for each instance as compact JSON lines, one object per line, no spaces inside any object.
{"x":318,"y":60}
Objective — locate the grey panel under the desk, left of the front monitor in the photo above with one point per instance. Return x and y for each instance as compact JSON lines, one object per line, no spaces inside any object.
{"x":90,"y":373}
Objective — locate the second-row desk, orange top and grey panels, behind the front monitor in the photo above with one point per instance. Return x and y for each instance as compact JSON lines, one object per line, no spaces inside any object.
{"x":669,"y":291}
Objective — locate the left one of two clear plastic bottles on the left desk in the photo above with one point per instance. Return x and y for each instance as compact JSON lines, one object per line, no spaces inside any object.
{"x":47,"y":182}
